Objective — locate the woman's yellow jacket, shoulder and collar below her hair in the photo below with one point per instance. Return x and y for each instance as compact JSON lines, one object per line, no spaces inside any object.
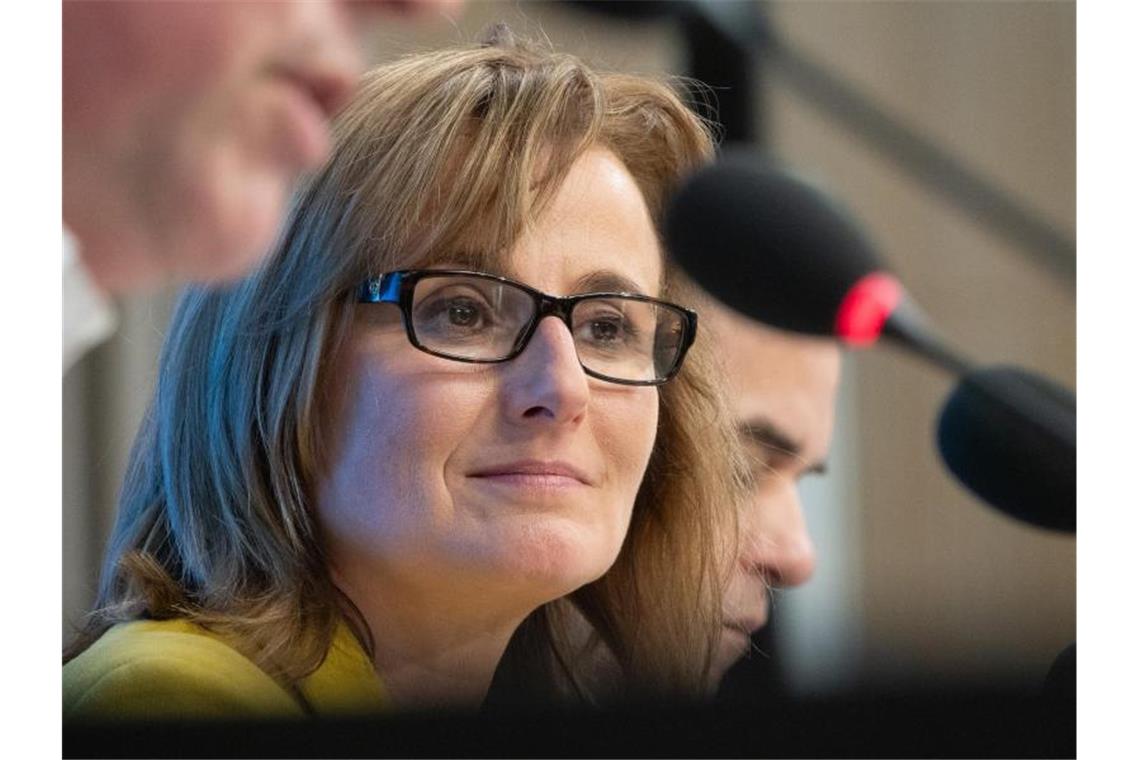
{"x":166,"y":669}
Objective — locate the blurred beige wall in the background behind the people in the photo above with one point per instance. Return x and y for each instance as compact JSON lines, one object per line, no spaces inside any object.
{"x":917,"y":581}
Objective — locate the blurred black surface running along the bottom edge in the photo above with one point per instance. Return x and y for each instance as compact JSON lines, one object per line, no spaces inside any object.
{"x":978,"y":725}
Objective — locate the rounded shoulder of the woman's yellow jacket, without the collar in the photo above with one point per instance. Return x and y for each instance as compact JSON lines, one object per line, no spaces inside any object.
{"x":169,"y":669}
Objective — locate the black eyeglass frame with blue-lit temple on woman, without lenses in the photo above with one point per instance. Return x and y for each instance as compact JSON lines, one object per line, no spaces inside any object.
{"x":400,"y":287}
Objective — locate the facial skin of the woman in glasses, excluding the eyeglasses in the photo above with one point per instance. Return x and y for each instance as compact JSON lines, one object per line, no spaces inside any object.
{"x":518,"y":477}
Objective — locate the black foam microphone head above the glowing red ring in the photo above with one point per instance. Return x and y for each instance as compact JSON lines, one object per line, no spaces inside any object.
{"x":768,"y":244}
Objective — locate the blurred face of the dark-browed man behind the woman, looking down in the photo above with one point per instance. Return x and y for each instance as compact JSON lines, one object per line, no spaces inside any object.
{"x":784,"y":390}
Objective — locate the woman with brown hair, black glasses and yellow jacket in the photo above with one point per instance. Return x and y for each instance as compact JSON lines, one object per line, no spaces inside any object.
{"x":420,"y":426}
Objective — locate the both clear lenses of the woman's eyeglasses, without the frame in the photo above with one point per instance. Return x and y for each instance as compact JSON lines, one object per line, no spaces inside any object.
{"x":483,"y":320}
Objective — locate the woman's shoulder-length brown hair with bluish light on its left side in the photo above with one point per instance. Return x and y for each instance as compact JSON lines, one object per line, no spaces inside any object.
{"x":439,"y":152}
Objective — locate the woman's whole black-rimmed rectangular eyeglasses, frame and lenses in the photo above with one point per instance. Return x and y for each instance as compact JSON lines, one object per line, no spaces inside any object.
{"x":475,"y":317}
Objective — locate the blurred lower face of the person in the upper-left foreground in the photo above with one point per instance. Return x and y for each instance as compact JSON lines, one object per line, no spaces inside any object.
{"x":185,"y":125}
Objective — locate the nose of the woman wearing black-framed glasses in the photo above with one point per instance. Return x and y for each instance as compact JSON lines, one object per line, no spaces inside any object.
{"x":547,"y":381}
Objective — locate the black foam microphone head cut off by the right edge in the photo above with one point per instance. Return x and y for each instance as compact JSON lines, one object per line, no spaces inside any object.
{"x":1011,"y":438}
